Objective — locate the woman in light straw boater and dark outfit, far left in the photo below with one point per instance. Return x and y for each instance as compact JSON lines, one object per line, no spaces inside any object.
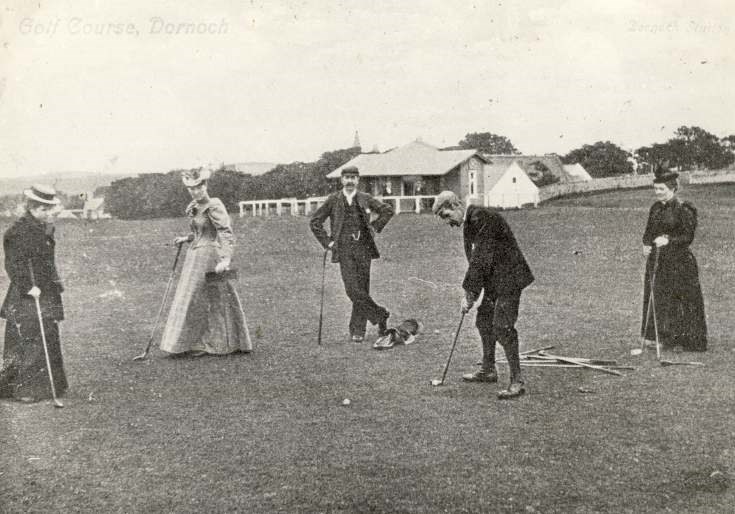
{"x":29,"y":246}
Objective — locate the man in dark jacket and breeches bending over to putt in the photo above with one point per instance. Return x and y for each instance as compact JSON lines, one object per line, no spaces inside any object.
{"x":497,"y":268}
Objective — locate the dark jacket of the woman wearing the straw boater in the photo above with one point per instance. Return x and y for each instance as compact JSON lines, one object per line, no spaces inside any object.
{"x":29,"y":240}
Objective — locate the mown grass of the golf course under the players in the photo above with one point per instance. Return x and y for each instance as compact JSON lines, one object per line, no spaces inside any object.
{"x":267,"y":432}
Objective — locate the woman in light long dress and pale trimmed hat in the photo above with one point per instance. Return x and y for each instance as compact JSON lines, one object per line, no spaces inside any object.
{"x":206,"y":315}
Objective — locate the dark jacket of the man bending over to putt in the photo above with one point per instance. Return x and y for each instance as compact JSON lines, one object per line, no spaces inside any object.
{"x":496,"y":263}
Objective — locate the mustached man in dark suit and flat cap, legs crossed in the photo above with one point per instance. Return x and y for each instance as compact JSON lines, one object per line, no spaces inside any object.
{"x":353,"y":247}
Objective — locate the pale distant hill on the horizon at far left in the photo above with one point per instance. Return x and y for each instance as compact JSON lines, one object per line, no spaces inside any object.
{"x":71,"y":182}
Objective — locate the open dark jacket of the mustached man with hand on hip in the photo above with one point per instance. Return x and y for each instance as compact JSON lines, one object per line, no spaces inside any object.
{"x":334,"y":209}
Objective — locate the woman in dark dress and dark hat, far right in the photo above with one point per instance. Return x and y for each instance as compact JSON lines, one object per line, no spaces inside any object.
{"x":677,"y":296}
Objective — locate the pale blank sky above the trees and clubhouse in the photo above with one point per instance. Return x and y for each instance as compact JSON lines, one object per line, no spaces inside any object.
{"x":150,"y":86}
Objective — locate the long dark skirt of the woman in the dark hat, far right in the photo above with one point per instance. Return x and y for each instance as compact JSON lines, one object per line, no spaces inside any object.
{"x":677,"y":301}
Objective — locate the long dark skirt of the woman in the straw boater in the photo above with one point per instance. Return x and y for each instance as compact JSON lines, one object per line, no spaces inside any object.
{"x":24,"y":373}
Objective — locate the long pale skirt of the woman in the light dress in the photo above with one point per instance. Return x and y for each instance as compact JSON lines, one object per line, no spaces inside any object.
{"x":205,"y":316}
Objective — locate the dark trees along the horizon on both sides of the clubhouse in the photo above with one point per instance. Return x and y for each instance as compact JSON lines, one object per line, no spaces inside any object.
{"x":156,"y":195}
